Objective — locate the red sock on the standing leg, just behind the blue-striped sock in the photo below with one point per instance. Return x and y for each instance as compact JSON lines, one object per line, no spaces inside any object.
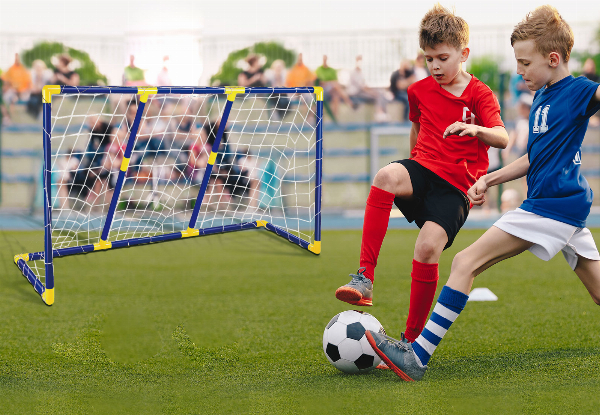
{"x":422,"y":290}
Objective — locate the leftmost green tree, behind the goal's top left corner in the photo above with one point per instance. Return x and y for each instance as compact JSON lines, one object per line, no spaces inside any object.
{"x":87,"y":70}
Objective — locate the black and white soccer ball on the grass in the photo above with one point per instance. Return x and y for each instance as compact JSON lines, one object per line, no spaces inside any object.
{"x":345,"y":344}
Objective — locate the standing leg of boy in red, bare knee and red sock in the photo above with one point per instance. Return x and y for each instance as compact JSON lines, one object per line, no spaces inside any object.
{"x":429,"y":246}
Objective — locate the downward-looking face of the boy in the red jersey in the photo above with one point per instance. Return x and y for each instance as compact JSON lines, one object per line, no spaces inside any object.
{"x":444,"y":62}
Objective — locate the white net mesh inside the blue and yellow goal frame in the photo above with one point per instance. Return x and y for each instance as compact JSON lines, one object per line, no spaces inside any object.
{"x":265,"y":168}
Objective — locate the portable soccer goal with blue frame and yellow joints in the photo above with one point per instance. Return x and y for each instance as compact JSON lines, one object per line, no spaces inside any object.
{"x":126,"y":166}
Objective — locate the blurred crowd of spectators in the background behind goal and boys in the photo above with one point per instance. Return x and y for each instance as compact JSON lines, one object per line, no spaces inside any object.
{"x":236,"y":177}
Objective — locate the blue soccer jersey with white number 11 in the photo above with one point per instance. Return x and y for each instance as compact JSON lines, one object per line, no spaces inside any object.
{"x":557,"y":124}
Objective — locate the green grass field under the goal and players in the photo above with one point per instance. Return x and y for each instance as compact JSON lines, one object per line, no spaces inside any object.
{"x":233,"y":324}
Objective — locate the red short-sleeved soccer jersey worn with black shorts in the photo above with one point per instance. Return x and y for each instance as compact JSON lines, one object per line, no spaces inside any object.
{"x":458,"y":160}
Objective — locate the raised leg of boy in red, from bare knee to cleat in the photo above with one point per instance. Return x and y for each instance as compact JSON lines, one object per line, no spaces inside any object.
{"x":390,"y":182}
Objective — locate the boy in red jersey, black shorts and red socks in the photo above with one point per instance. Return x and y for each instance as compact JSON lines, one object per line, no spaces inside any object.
{"x":455,"y":119}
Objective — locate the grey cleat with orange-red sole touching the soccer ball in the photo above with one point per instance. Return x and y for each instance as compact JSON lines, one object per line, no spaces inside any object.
{"x":397,"y":354}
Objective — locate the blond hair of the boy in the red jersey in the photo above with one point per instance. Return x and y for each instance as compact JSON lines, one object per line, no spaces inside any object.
{"x":440,"y":25}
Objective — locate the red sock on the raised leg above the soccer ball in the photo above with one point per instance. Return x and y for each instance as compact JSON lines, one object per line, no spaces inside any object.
{"x":377,"y":217}
